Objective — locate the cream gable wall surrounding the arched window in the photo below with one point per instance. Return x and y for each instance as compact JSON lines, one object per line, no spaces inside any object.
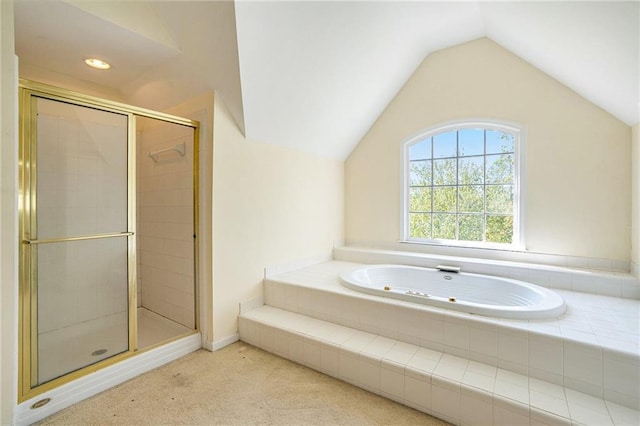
{"x":577,"y":155}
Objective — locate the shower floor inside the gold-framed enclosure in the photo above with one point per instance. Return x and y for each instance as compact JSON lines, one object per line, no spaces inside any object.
{"x":70,"y":348}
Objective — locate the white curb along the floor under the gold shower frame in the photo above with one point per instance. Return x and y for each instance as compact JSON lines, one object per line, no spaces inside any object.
{"x":94,"y":383}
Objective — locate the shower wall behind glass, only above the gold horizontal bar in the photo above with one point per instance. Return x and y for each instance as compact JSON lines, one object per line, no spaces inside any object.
{"x":83,"y":189}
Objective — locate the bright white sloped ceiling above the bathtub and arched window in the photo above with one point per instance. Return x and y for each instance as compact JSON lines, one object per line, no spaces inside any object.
{"x":316,"y":75}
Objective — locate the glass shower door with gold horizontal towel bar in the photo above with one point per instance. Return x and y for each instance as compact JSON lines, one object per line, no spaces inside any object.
{"x":79,"y":237}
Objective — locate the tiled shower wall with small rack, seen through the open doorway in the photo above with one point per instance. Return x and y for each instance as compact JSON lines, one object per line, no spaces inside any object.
{"x":165,"y":223}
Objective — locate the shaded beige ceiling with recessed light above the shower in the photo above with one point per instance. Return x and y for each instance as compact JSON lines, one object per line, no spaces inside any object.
{"x":161,"y":52}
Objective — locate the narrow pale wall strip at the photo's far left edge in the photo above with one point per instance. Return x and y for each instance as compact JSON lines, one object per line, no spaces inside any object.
{"x":8,"y":216}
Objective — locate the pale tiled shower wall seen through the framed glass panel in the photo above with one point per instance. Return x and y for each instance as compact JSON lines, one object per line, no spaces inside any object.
{"x":81,"y":190}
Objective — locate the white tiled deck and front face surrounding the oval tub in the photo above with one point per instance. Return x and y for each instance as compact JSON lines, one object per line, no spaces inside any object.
{"x":592,"y":349}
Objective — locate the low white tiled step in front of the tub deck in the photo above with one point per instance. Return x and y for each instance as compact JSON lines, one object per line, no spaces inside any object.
{"x":458,"y":390}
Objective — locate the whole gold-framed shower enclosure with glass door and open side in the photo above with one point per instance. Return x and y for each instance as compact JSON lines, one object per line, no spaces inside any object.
{"x":107,"y":226}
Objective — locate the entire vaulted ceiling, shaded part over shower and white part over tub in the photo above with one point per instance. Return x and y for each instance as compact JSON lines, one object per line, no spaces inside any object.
{"x":312,"y":75}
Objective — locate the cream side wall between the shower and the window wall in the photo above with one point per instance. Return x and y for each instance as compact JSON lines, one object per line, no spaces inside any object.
{"x":271,"y":206}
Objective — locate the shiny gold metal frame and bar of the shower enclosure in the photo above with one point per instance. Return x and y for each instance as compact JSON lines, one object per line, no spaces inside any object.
{"x":29,"y":92}
